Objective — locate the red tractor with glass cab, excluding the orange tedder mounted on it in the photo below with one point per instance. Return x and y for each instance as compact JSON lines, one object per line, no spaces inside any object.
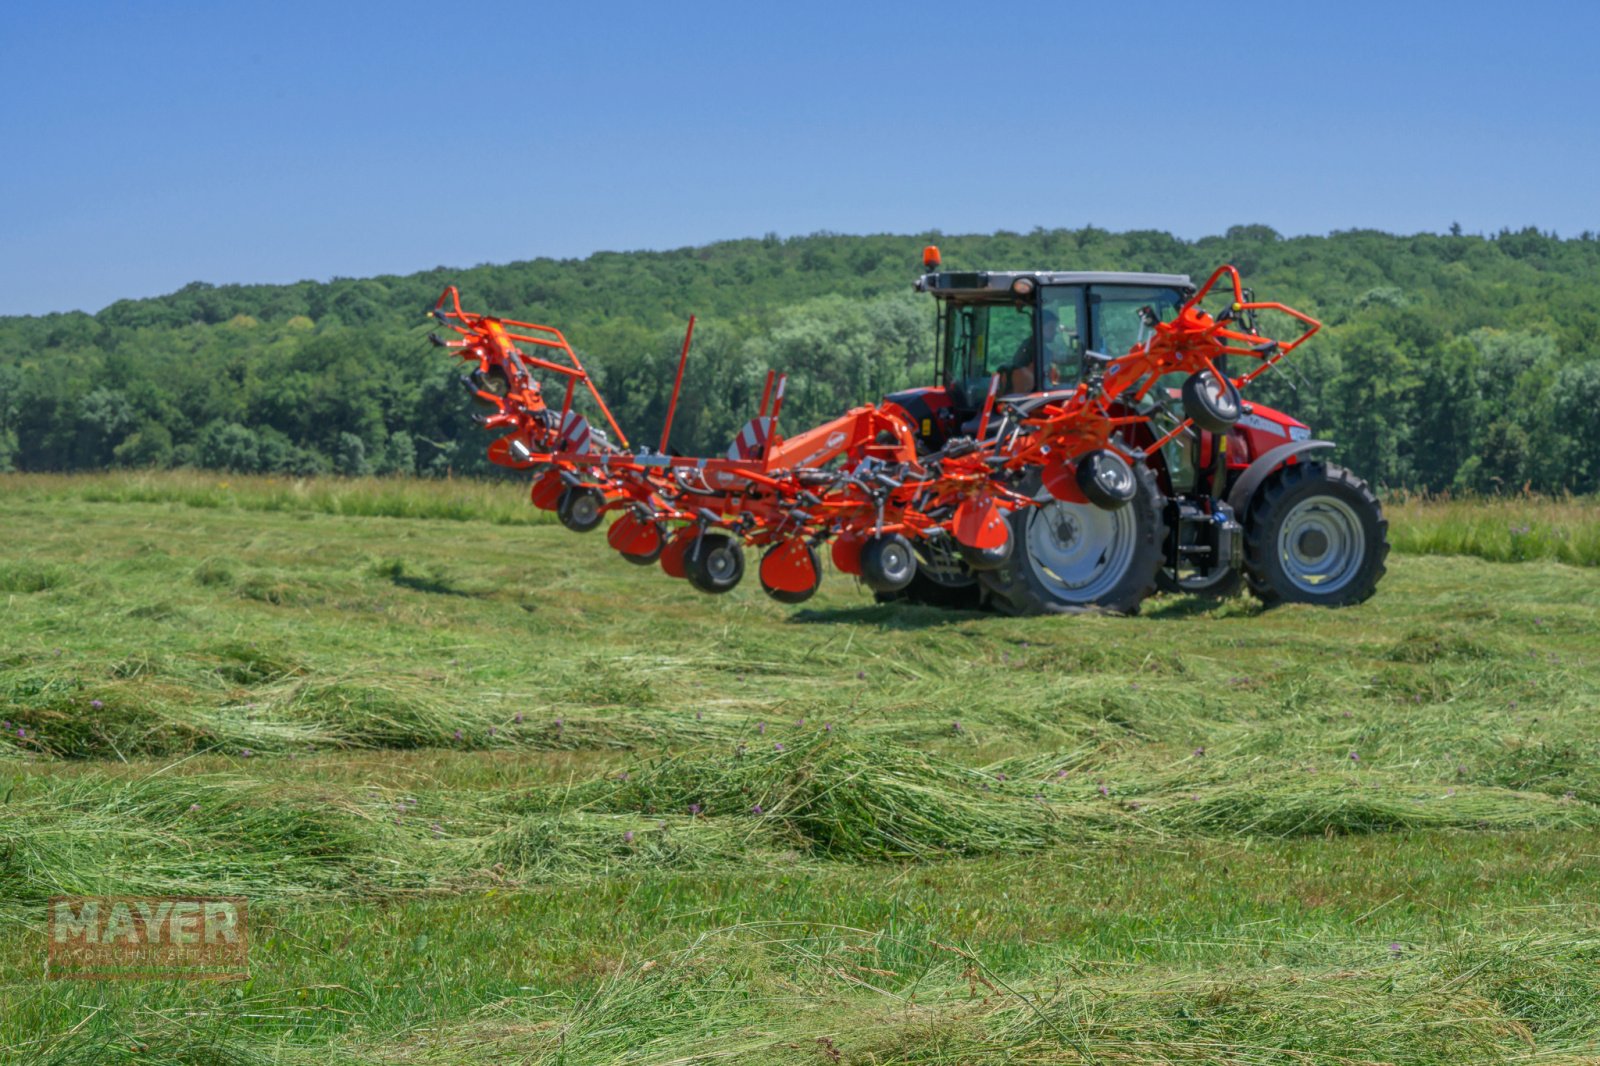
{"x":1238,"y":497}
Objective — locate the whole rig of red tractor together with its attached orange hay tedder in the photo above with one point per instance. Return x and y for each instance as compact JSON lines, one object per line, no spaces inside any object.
{"x":1137,"y":467}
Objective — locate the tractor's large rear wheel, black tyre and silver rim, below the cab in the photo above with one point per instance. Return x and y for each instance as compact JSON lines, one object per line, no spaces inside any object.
{"x":1079,"y":558}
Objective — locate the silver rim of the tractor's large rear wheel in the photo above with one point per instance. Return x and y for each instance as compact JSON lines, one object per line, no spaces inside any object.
{"x":1081,"y":551}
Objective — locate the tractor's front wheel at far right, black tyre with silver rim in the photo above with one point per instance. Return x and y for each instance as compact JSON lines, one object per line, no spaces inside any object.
{"x":1314,"y":534}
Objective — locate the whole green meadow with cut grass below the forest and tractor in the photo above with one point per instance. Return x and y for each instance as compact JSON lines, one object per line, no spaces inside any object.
{"x":498,"y":796}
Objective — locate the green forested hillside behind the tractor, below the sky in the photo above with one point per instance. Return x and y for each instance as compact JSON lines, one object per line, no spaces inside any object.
{"x":1450,"y":363}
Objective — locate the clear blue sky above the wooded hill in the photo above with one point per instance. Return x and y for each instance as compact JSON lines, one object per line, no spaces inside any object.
{"x":153,"y":145}
